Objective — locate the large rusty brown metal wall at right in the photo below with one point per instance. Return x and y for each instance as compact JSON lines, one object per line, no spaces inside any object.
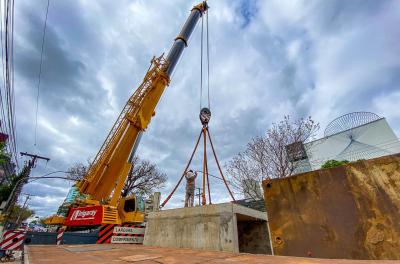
{"x":351,"y":211}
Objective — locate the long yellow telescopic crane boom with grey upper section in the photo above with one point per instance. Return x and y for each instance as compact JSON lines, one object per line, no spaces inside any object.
{"x":107,"y":174}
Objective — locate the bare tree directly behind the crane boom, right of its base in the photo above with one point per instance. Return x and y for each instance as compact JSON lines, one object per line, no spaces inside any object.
{"x":143,"y":178}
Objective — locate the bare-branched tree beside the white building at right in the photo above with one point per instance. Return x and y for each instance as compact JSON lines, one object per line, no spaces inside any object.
{"x":266,"y":157}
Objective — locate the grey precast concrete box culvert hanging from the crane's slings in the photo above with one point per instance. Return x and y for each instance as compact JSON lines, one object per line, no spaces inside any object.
{"x":222,"y":227}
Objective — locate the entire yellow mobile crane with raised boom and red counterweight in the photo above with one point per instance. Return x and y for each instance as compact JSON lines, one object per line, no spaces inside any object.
{"x":106,"y":176}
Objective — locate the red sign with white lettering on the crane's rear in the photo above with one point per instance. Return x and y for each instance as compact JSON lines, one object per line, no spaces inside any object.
{"x":90,"y":215}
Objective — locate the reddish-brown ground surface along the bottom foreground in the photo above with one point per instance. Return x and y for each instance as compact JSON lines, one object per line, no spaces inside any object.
{"x":88,"y":254}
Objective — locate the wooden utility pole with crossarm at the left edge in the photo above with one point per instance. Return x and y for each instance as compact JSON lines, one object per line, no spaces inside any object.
{"x":23,"y":175}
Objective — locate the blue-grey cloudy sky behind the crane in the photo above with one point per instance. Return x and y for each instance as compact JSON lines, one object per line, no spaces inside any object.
{"x":268,"y":59}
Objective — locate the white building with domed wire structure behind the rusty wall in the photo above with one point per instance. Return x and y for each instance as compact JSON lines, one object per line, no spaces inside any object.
{"x":354,"y":136}
